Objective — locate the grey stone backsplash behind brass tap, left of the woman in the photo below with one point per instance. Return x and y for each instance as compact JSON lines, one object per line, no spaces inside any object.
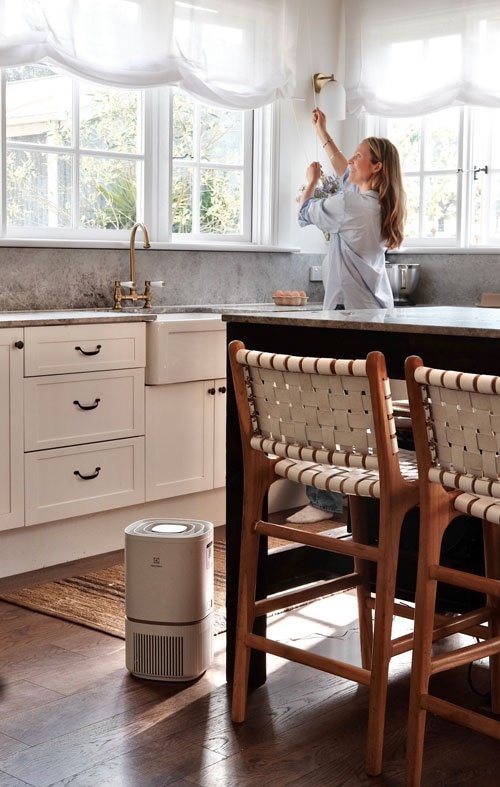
{"x":56,"y":278}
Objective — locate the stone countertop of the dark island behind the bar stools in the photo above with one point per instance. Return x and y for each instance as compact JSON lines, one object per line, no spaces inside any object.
{"x":451,"y":320}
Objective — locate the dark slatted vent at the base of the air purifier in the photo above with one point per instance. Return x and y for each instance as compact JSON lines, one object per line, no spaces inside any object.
{"x":158,"y":655}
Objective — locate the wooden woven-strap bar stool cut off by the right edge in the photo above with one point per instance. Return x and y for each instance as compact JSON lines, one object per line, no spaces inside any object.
{"x":456,"y":427}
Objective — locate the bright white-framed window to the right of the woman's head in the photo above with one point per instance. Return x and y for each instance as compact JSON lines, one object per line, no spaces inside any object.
{"x":452,"y":175}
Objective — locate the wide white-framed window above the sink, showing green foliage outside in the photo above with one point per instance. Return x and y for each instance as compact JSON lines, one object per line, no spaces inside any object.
{"x":86,"y":161}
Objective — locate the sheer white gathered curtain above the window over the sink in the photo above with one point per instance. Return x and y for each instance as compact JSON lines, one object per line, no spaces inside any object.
{"x":233,"y":53}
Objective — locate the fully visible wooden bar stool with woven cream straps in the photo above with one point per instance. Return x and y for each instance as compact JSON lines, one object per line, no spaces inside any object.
{"x":327,"y":423}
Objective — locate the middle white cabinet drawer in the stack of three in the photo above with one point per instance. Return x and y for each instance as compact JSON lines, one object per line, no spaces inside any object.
{"x":82,"y":408}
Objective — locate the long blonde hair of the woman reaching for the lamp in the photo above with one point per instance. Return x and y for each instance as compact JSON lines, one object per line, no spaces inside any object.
{"x":388,"y":181}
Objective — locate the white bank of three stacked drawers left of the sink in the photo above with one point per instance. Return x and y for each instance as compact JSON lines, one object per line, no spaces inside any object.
{"x":84,"y":419}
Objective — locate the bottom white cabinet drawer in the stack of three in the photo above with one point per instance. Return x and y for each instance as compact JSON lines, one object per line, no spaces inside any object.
{"x":68,"y":482}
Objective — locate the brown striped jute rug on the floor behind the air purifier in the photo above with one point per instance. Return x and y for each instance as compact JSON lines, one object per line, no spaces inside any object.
{"x":97,"y":599}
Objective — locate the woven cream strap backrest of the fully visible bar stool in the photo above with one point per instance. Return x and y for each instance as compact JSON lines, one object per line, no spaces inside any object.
{"x":329,"y":411}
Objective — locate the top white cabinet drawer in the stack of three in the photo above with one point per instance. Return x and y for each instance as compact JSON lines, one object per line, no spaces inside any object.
{"x":62,"y":349}
